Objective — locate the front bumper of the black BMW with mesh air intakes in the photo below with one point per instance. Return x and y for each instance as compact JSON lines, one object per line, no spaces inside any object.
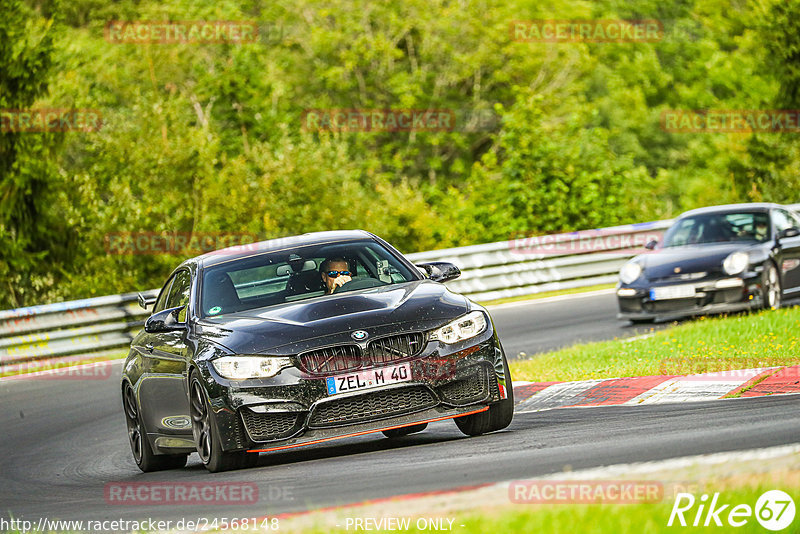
{"x":293,"y":409}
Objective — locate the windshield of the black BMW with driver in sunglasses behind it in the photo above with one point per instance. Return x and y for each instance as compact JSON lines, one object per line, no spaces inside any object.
{"x":297,"y":274}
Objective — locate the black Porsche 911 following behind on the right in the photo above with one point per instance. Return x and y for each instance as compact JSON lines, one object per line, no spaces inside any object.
{"x":716,"y":259}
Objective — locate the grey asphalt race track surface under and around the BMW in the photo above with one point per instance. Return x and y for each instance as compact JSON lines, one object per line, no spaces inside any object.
{"x":62,"y":441}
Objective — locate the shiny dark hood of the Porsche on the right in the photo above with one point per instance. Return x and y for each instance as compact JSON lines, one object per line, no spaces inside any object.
{"x":691,"y":259}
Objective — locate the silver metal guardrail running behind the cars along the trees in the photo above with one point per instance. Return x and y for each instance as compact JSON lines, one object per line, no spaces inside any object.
{"x":517,"y":267}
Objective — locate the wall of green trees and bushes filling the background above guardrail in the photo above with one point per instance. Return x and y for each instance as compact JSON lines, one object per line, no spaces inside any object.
{"x":209,"y":137}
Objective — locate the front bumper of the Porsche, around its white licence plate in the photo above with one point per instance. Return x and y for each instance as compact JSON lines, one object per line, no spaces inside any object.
{"x":711,"y":296}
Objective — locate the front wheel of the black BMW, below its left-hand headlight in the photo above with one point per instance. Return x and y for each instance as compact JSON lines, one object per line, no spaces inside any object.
{"x":206,"y":438}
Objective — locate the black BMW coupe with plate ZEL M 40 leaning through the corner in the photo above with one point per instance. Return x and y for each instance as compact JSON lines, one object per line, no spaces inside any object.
{"x":302,"y":340}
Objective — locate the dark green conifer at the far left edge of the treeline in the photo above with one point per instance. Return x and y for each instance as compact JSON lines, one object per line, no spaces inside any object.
{"x":32,"y":246}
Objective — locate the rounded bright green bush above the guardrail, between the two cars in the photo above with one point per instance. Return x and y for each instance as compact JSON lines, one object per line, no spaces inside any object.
{"x":554,"y":176}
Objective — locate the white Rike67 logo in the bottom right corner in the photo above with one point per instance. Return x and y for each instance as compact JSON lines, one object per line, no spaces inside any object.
{"x":774,"y":510}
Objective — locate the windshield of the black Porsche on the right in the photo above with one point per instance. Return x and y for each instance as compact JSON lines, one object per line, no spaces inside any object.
{"x":719,"y":228}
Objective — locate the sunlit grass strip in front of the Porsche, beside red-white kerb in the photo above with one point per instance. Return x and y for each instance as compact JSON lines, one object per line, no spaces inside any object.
{"x":707,"y":344}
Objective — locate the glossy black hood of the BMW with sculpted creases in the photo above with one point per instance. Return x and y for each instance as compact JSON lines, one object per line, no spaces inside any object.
{"x":295,"y":327}
